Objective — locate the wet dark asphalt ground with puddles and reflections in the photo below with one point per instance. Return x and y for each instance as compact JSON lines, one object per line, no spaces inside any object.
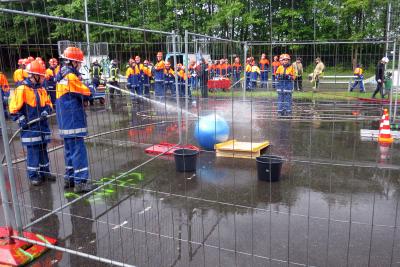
{"x":336,"y":203}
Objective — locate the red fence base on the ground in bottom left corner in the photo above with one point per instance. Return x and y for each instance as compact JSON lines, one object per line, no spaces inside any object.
{"x":20,"y":252}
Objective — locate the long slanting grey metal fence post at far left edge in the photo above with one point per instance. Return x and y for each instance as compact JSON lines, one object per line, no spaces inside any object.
{"x":17,"y":211}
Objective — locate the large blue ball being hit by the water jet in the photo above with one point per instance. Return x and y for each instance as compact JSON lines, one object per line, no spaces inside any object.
{"x":211,"y":130}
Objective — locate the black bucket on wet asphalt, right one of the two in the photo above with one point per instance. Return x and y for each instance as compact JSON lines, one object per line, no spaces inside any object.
{"x":269,"y":168}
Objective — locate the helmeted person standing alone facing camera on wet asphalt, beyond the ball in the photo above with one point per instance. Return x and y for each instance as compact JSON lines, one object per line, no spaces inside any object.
{"x":284,"y":87}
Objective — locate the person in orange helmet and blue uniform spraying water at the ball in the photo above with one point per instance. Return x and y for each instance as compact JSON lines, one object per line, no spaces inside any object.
{"x":71,"y":94}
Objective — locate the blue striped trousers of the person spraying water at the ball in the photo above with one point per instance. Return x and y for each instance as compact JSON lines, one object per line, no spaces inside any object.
{"x":76,"y":161}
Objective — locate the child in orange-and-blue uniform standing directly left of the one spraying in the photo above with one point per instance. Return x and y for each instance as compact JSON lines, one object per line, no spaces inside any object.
{"x":30,"y":106}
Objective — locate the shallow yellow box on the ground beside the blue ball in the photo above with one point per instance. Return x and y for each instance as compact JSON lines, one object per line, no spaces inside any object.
{"x":236,"y":149}
